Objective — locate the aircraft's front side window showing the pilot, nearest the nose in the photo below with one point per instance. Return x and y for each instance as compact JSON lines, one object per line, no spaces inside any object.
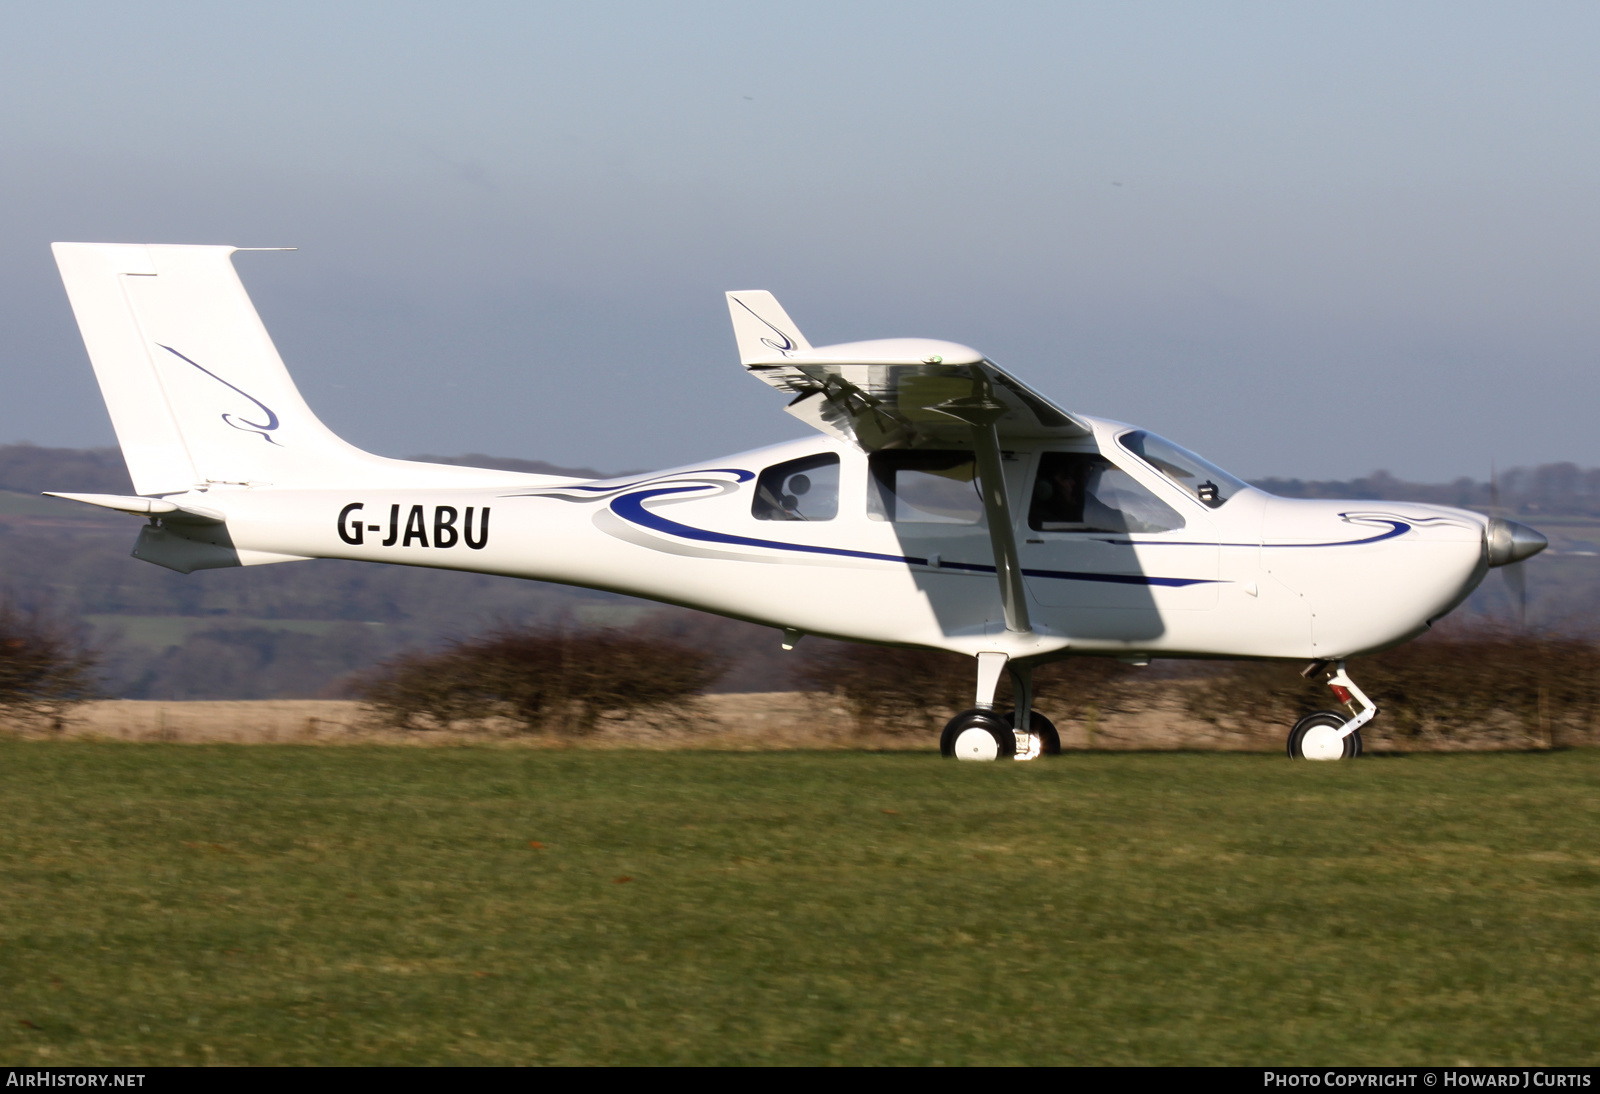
{"x":1086,"y":492}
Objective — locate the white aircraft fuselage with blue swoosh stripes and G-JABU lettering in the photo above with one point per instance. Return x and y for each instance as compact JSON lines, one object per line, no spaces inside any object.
{"x":822,"y":538}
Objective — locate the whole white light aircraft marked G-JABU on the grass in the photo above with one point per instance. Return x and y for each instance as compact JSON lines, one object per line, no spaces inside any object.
{"x":943,"y":505}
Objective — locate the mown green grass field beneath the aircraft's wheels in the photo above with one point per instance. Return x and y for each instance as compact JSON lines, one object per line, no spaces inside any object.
{"x":169,"y":904}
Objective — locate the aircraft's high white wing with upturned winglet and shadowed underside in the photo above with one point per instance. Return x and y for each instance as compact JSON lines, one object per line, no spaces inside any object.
{"x":898,"y":393}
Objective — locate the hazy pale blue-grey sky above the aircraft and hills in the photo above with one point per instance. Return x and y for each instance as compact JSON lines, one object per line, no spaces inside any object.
{"x":1302,"y":239}
